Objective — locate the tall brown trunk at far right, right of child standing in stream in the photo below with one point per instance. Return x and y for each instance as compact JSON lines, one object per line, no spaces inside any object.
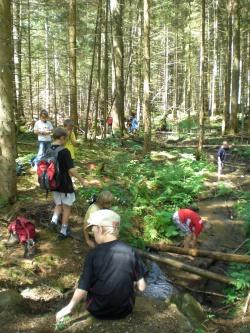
{"x":236,"y":65}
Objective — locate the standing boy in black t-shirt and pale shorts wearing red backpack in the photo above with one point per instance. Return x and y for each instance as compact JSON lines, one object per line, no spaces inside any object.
{"x":54,"y":174}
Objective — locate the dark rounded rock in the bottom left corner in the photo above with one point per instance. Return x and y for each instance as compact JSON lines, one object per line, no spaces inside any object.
{"x":12,"y":302}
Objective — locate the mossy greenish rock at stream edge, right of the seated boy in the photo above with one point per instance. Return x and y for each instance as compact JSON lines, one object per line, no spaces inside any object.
{"x":192,"y":309}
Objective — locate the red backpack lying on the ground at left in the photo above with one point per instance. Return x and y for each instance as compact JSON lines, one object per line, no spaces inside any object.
{"x":24,"y":229}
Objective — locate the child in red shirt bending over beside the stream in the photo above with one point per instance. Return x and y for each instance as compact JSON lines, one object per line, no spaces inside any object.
{"x":189,"y":222}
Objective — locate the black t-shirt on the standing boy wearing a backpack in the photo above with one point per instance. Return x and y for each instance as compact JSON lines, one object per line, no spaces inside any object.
{"x":65,"y":163}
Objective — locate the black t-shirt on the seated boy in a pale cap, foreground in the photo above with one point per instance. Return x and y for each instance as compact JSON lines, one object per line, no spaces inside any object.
{"x":108,"y":276}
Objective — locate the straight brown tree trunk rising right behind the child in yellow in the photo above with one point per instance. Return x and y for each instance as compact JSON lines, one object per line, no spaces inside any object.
{"x":72,"y":62}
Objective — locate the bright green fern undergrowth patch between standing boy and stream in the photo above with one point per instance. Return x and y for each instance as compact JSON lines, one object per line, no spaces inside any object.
{"x":148,"y":192}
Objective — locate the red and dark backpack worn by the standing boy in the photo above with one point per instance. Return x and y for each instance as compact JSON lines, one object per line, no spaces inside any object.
{"x":48,"y":170}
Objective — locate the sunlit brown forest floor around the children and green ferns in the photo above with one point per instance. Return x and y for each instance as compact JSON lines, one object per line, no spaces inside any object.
{"x":48,"y":279}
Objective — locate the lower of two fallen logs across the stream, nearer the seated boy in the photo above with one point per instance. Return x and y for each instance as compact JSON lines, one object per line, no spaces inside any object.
{"x":188,"y":268}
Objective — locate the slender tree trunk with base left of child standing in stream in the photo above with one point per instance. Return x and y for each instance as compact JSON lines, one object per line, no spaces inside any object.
{"x":203,"y":80}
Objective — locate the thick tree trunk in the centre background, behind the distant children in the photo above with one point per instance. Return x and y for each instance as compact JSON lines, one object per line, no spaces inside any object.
{"x":117,"y":7}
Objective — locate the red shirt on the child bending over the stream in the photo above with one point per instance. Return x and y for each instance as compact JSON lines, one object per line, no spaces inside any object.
{"x":192,"y":219}
